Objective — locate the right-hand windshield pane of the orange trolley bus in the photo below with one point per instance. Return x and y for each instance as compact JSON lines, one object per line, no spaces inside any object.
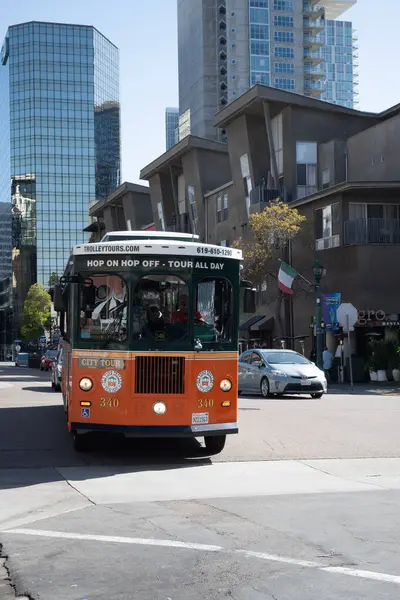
{"x":214,"y":302}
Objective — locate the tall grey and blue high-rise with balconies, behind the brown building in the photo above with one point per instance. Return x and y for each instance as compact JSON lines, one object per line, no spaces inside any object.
{"x":227,"y":46}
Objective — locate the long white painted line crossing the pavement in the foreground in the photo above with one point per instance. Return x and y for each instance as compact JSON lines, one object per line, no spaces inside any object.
{"x":372,"y":575}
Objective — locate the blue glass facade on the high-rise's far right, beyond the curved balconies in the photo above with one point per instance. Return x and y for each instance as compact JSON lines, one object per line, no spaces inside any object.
{"x":338,"y":53}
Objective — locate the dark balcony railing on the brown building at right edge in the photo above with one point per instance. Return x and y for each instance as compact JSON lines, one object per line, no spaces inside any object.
{"x":372,"y":231}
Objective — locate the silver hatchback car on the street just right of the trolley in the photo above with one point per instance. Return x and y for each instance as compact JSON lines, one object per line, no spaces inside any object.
{"x":278,"y":372}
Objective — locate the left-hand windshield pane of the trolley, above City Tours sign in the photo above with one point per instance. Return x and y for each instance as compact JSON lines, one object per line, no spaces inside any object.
{"x":105,"y":318}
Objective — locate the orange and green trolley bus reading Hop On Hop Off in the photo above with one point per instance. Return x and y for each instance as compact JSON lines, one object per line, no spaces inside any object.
{"x":150,"y":329}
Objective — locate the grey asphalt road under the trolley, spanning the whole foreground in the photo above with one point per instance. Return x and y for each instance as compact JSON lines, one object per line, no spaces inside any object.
{"x":303,"y":504}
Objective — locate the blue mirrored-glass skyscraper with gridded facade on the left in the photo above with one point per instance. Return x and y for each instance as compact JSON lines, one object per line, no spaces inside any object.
{"x":59,"y":140}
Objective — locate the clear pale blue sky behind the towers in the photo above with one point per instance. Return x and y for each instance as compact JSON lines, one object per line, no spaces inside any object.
{"x":145,"y":33}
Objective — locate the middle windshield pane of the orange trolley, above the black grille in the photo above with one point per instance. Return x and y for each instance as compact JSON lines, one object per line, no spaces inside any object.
{"x":158,"y":312}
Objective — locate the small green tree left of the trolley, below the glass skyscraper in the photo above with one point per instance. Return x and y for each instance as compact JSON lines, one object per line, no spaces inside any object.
{"x":37,"y":313}
